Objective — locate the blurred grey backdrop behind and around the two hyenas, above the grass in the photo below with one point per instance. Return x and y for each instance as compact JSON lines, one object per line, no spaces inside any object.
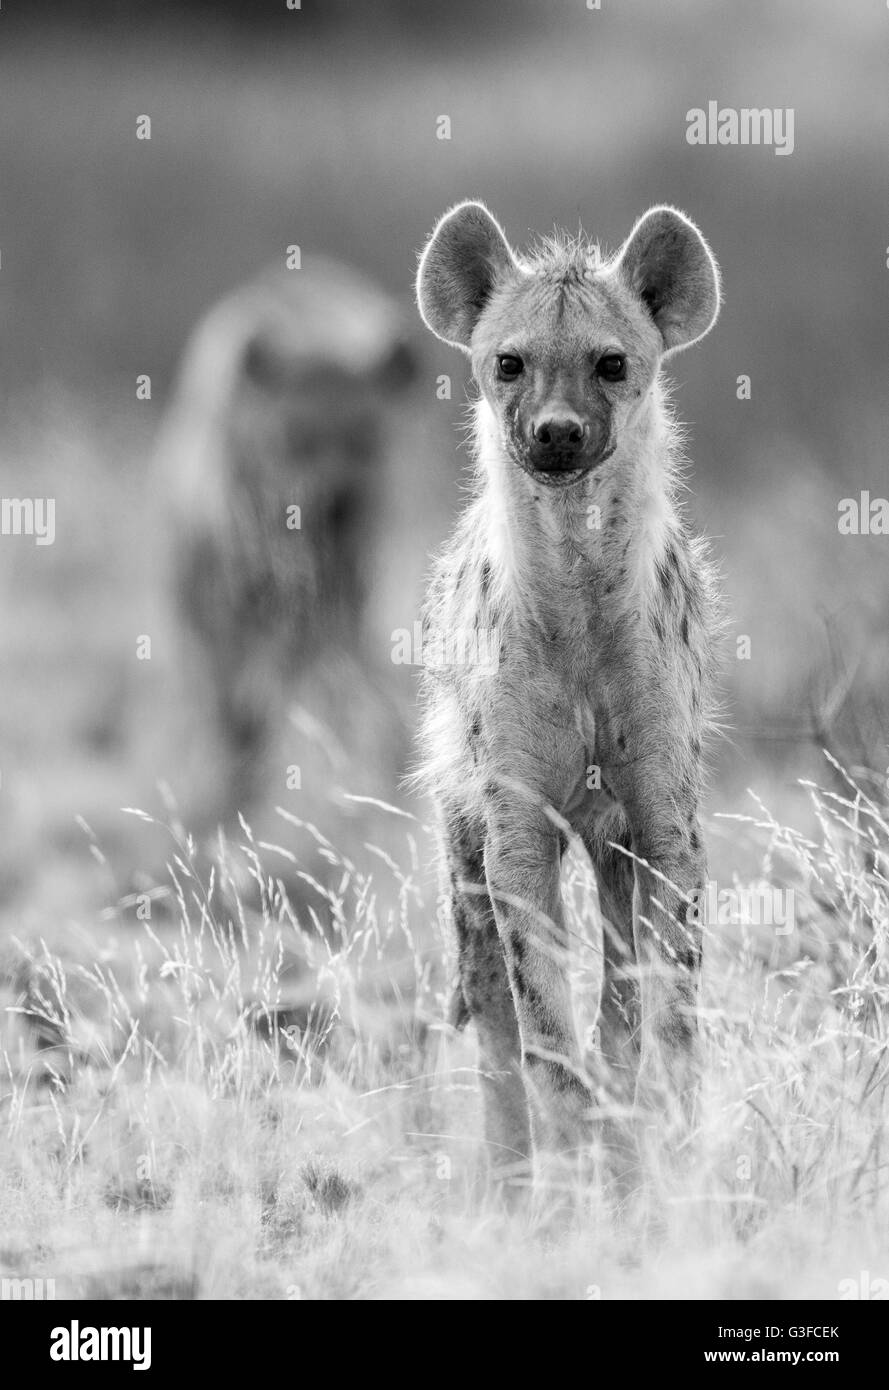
{"x":319,"y":127}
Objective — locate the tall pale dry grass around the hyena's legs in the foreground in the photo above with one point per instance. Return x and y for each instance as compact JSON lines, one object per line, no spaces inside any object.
{"x":209,"y":1096}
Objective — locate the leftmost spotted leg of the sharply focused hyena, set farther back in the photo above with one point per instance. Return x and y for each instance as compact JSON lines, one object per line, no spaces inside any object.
{"x":485,"y":996}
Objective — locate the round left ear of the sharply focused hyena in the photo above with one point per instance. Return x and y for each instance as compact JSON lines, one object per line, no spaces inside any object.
{"x":459,"y":269}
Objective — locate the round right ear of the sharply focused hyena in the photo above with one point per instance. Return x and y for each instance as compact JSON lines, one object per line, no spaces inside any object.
{"x":669,"y":265}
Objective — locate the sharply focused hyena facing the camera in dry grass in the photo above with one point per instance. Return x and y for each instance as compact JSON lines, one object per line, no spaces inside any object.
{"x":574,"y":551}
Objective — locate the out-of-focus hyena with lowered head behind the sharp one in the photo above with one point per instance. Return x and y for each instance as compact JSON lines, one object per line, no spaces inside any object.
{"x":274,"y":454}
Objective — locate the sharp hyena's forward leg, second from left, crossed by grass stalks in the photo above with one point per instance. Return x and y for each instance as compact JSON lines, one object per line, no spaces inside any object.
{"x":523,"y":869}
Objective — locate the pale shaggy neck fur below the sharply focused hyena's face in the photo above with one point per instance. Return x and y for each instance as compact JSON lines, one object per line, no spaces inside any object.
{"x":555,"y":554}
